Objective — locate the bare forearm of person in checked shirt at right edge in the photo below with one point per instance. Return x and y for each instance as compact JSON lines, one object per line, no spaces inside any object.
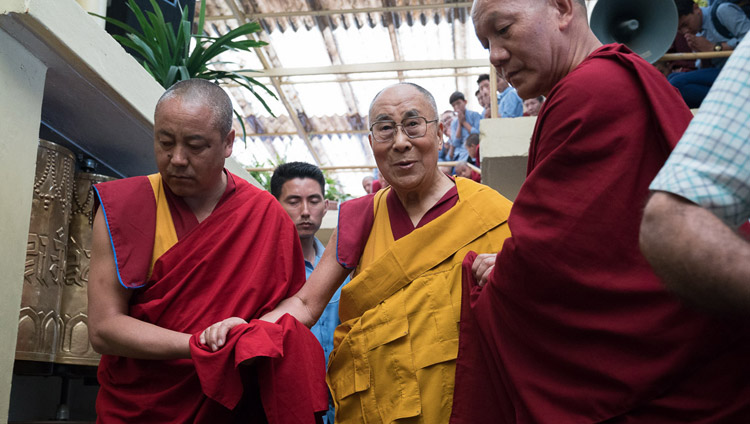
{"x":696,"y":254}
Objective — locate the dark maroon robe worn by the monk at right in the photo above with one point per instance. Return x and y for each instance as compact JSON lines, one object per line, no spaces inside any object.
{"x":576,"y":328}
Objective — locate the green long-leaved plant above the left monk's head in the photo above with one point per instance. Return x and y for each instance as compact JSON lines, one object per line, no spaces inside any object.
{"x":166,"y":53}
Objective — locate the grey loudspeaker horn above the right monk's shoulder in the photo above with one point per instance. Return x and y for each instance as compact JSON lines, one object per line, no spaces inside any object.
{"x":648,"y":27}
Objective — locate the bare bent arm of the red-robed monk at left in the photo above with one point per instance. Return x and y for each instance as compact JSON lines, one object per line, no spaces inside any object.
{"x":111,"y":330}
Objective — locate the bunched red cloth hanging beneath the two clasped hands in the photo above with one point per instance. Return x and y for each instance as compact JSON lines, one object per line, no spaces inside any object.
{"x":289,"y":365}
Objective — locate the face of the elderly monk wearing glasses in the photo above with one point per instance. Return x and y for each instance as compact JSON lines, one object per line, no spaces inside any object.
{"x":406,"y":163}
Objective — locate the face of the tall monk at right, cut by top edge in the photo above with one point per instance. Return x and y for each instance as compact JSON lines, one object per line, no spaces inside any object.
{"x":523,"y":40}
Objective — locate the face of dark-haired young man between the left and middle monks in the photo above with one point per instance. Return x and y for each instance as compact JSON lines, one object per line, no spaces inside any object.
{"x":302,"y":198}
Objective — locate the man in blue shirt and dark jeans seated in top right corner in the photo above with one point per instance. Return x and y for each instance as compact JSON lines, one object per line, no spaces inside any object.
{"x":703,"y":35}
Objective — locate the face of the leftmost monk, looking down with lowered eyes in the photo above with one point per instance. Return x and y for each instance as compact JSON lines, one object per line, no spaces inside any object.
{"x":189,"y":150}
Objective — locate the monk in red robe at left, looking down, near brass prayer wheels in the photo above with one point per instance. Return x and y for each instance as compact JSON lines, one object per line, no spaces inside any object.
{"x":174,"y":252}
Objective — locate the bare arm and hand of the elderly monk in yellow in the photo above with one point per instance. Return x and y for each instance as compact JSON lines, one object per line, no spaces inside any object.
{"x":306,"y":305}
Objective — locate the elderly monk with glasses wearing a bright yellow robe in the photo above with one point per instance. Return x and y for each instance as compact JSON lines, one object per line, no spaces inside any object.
{"x":395,"y":352}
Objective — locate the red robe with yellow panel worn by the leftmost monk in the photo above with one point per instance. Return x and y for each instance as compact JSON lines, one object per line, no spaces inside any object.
{"x":240,"y":261}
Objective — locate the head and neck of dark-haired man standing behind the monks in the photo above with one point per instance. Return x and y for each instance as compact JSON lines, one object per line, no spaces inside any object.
{"x":300,"y":188}
